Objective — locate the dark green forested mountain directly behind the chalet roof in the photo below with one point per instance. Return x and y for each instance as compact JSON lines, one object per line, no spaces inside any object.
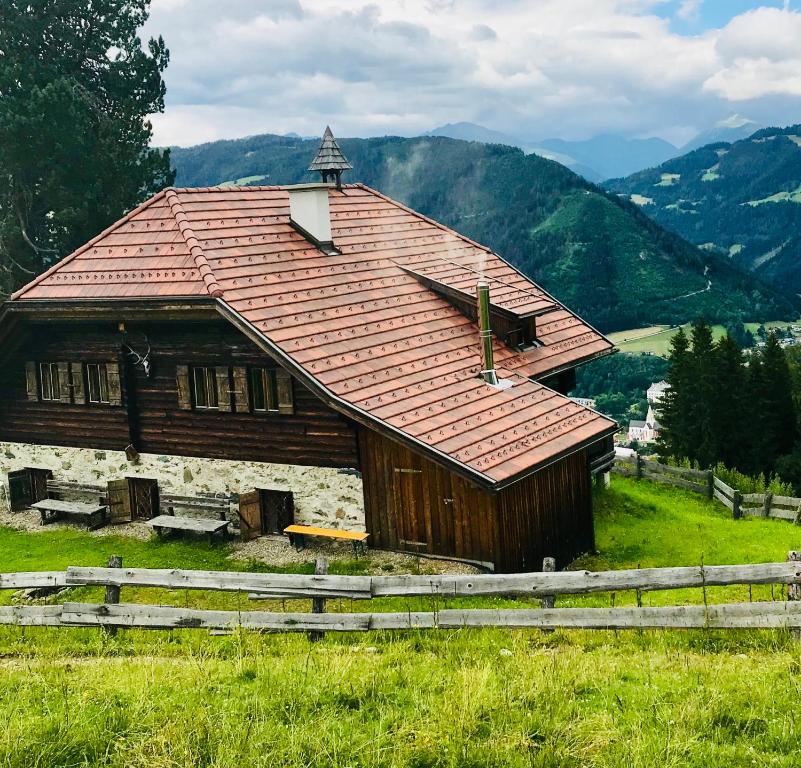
{"x":596,"y":252}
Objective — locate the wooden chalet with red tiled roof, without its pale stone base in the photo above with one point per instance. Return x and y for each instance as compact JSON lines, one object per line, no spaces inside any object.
{"x":320,"y":326}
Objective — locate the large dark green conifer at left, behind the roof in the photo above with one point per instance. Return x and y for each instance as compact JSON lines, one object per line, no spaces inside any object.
{"x":76,"y":87}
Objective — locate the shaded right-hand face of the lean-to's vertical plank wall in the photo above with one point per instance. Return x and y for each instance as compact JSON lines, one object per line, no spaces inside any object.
{"x":548,"y":514}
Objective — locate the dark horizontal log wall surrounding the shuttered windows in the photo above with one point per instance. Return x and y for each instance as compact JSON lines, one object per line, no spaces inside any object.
{"x":313,"y":435}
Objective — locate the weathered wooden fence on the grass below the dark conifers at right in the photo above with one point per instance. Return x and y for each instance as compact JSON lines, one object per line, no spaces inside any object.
{"x":709,"y":484}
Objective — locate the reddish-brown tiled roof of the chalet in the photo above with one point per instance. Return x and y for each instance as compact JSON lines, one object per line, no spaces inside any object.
{"x":364,"y":324}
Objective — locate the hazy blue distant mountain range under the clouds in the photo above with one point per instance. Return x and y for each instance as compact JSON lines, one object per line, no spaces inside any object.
{"x":608,"y":156}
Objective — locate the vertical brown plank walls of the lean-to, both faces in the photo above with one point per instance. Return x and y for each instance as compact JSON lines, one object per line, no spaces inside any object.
{"x":413,"y":504}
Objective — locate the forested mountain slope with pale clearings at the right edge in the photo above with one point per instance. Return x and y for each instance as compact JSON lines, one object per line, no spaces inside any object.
{"x":741,"y":201}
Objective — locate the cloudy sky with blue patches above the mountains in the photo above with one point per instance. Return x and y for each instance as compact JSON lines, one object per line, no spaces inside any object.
{"x":532,"y":68}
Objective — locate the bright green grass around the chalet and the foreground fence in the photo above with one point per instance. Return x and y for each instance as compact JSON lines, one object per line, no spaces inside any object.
{"x":470,"y":698}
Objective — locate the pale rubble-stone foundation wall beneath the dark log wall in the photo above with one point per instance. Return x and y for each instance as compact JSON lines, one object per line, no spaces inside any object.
{"x":324,"y":497}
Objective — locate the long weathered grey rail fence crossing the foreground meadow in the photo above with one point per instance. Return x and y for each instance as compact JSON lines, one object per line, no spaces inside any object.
{"x":112,"y":615}
